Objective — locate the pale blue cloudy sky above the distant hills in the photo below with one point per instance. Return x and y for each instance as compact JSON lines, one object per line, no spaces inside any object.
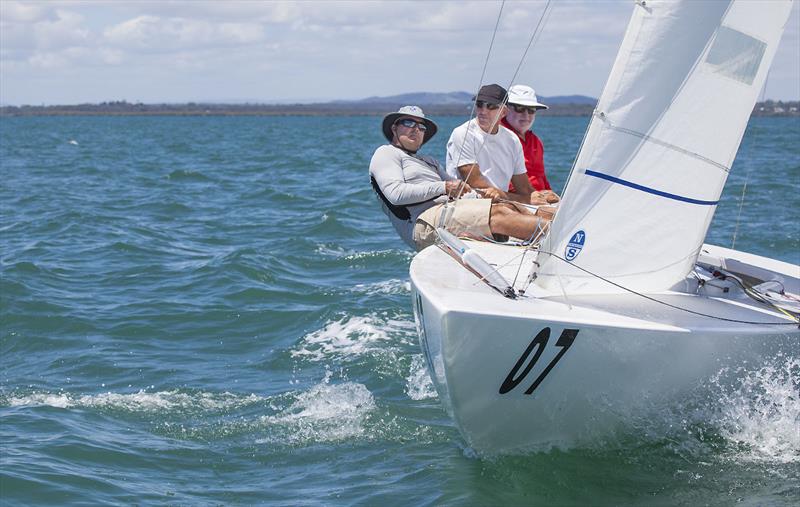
{"x":71,"y":52}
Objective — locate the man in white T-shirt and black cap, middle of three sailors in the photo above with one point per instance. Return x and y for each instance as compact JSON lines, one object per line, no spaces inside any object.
{"x":487,"y":156}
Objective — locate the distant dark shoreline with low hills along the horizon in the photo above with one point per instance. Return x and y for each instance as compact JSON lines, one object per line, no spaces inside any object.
{"x":123,"y":108}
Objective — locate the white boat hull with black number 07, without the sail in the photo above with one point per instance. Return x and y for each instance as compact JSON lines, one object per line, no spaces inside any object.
{"x":538,"y":372}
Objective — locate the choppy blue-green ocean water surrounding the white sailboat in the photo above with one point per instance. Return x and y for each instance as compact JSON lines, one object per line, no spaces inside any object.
{"x":214,"y":311}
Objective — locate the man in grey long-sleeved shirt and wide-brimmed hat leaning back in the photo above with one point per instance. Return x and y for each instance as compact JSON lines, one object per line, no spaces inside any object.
{"x":414,"y":188}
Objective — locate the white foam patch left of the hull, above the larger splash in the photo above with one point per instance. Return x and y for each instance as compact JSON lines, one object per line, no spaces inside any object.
{"x":353,"y":336}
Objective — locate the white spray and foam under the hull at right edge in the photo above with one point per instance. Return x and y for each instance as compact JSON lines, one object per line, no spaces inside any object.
{"x":741,"y":415}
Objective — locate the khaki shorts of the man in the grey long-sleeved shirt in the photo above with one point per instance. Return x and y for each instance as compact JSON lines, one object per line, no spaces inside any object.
{"x":470,"y":217}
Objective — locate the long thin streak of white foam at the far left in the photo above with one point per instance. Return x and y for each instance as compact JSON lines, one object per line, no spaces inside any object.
{"x":141,"y":401}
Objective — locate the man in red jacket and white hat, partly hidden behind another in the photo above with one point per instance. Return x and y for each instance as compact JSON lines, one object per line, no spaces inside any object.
{"x":522,"y":107}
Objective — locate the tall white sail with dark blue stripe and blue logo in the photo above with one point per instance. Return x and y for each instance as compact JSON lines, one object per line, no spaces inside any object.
{"x":660,"y":144}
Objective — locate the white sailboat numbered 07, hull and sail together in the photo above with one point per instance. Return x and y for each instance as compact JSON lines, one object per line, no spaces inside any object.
{"x":622,"y":304}
